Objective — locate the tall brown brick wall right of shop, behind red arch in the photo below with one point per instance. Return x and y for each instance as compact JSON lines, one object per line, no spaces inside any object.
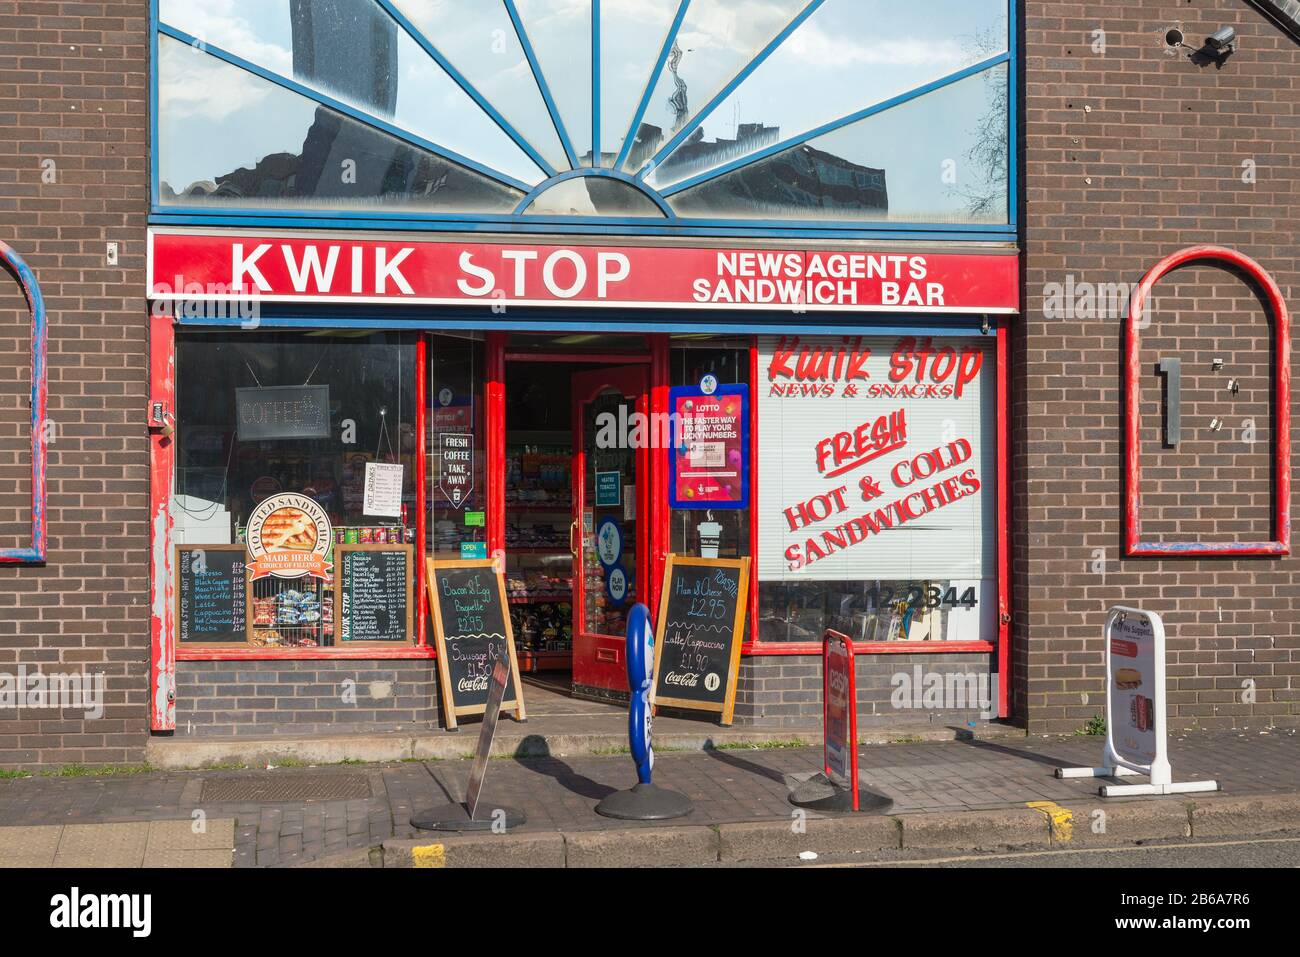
{"x":1132,"y":154}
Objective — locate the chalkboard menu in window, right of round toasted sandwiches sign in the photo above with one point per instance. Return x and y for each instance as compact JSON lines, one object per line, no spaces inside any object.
{"x":374,"y":594}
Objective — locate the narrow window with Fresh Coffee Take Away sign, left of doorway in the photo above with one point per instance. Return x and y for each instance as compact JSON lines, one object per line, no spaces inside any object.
{"x":458,"y":448}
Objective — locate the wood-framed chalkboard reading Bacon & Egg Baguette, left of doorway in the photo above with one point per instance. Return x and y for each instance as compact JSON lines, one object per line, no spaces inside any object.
{"x":471,"y":627}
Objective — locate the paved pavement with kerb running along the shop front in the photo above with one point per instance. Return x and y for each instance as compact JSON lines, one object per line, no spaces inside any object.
{"x":993,"y":782}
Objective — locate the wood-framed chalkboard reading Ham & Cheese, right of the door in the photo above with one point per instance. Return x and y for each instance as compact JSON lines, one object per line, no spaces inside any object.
{"x":699,"y":635}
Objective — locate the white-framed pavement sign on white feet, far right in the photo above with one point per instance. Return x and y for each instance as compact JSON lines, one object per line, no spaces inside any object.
{"x":1137,"y":739}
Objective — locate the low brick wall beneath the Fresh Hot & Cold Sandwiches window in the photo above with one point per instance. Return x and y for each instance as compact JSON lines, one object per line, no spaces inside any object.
{"x":786,"y":691}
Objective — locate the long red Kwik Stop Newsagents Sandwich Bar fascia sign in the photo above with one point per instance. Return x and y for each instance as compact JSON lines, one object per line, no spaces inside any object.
{"x":193,"y":266}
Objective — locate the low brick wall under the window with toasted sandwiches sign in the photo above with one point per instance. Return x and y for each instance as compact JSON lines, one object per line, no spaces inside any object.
{"x":262,"y":699}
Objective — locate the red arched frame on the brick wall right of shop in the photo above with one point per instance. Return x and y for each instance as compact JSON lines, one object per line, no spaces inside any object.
{"x":1281,"y":545}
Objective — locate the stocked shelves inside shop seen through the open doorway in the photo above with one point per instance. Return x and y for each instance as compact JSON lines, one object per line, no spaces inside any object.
{"x":539,"y":562}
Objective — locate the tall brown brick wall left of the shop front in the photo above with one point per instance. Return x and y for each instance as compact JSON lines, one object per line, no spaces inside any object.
{"x":73,"y":177}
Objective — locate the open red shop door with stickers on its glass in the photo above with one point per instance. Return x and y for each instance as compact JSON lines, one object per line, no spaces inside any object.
{"x":610,"y":534}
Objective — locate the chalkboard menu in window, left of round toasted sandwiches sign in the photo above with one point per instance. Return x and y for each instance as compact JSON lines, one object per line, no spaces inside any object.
{"x":211,"y":595}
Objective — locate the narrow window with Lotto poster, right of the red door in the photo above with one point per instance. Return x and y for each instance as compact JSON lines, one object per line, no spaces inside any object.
{"x":701,"y":531}
